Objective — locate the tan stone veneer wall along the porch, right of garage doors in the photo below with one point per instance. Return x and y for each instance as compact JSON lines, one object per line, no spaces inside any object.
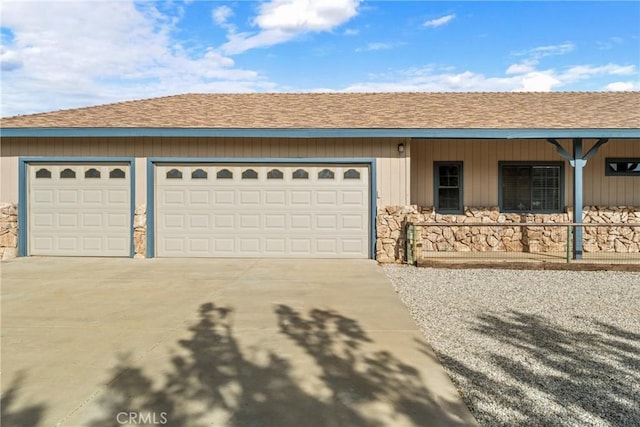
{"x":472,"y":231}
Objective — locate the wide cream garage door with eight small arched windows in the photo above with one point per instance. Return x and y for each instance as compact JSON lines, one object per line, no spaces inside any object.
{"x":290,"y":211}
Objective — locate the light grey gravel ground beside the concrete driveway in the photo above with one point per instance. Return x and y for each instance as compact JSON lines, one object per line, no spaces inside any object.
{"x":533,"y":348}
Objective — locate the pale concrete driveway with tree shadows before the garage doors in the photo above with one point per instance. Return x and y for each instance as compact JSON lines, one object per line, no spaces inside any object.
{"x":214,"y":342}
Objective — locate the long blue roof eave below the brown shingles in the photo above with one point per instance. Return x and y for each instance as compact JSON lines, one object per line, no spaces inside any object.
{"x":476,"y":133}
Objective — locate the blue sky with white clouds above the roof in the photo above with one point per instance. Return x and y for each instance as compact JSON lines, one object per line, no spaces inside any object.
{"x":66,"y":54}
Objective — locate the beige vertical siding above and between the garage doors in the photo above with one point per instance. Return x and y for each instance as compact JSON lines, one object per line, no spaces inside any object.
{"x":392,"y":168}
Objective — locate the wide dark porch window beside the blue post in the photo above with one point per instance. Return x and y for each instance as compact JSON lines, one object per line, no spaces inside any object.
{"x":531,"y":187}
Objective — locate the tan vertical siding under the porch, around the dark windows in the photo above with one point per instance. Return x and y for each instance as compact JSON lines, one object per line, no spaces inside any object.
{"x":480,"y":170}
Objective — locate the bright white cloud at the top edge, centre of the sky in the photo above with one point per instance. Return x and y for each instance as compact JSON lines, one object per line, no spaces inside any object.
{"x":283,"y":20}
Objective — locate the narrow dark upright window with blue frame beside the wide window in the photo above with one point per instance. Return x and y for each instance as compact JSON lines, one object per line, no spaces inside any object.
{"x":447,"y":181}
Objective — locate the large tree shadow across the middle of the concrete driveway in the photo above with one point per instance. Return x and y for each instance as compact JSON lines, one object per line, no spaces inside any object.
{"x":214,"y":382}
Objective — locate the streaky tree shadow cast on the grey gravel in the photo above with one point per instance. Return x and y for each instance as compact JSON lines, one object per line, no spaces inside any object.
{"x":550,"y":375}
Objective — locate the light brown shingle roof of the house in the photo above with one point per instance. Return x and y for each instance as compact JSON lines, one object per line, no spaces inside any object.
{"x":524,"y":110}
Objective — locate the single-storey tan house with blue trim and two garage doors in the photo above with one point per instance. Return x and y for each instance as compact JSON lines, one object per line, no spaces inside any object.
{"x":320,"y":175}
